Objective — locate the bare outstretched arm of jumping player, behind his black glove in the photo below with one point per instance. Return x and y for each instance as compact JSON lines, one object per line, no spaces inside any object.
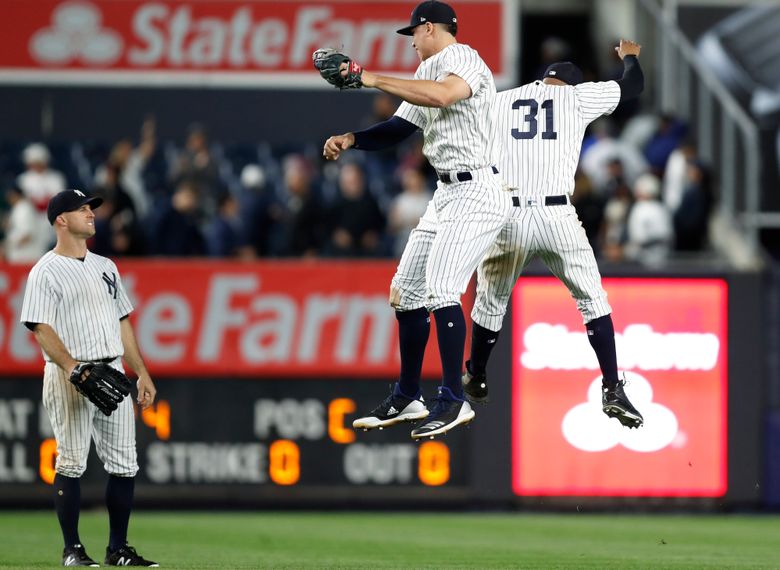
{"x":421,"y":92}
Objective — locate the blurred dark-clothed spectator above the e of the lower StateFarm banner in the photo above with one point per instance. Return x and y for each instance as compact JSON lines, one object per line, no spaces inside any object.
{"x":176,"y":232}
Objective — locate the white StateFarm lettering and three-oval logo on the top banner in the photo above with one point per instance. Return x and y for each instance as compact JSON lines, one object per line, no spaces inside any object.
{"x":219,"y":35}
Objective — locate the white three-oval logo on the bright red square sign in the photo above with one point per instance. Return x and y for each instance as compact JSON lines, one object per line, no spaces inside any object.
{"x":587,"y":428}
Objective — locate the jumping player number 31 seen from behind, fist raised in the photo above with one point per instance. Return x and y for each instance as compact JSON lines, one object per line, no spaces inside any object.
{"x":541,"y":126}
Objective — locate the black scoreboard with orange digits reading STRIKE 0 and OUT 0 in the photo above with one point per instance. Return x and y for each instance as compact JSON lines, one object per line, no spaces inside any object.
{"x":259,"y":435}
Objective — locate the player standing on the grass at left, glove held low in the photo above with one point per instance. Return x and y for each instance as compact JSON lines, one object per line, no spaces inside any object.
{"x":77,"y":308}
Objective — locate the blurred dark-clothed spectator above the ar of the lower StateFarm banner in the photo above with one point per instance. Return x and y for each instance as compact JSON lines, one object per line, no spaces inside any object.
{"x":302,"y":230}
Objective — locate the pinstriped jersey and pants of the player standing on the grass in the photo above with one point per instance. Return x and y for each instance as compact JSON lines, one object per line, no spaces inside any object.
{"x":83,"y":301}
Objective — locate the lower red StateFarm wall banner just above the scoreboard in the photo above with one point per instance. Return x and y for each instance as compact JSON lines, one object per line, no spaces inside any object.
{"x":226,"y":319}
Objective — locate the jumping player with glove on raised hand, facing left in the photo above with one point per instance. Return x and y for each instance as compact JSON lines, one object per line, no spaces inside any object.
{"x":451,"y":100}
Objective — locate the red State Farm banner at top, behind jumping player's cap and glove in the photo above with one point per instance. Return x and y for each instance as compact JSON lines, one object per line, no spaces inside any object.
{"x":256,"y":43}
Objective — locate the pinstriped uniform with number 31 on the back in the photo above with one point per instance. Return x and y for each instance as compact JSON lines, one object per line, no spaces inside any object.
{"x":541,"y":127}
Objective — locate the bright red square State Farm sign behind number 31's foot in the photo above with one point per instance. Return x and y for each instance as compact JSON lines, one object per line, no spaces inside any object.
{"x":671,"y":339}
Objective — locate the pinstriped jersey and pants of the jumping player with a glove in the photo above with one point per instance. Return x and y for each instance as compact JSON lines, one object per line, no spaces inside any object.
{"x":464,"y":217}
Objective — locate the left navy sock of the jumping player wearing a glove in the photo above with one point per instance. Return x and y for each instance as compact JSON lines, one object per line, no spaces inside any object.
{"x":413,"y":330}
